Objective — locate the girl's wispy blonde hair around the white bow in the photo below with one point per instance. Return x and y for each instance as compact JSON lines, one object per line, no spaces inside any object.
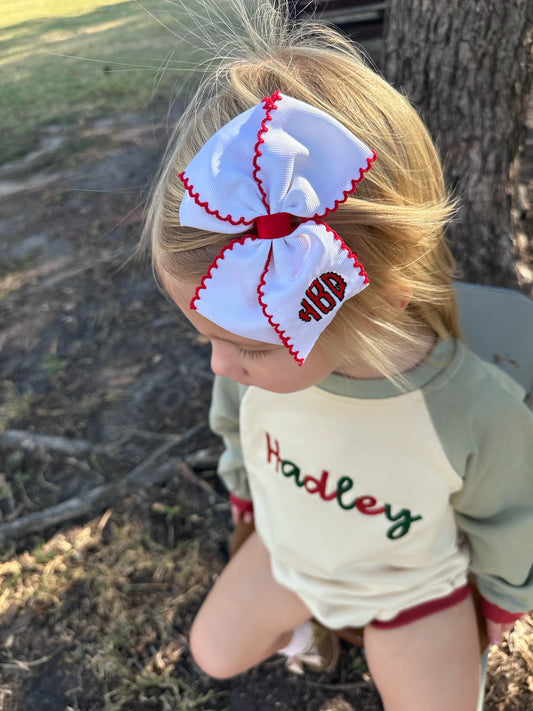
{"x":394,"y":222}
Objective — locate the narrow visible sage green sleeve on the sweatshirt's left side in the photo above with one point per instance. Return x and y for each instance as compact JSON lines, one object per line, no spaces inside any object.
{"x":224,"y":421}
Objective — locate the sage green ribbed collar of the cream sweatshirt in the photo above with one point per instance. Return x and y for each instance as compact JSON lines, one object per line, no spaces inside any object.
{"x":376,"y":388}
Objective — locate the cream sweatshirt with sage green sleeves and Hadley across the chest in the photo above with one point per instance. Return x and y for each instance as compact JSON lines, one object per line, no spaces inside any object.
{"x":371,"y":499}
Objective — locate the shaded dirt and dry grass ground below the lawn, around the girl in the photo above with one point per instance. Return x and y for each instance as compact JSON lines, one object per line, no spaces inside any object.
{"x":95,"y":611}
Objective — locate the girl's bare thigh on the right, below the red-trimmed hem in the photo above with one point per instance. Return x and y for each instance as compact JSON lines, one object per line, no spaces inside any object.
{"x":432,"y":663}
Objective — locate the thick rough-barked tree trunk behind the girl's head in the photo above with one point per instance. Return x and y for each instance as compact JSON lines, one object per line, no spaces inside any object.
{"x":466,"y":66}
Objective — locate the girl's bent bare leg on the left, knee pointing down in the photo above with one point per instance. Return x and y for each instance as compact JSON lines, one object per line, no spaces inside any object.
{"x":246,"y":617}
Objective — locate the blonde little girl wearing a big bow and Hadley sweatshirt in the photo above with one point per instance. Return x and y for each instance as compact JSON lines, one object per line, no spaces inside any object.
{"x":298,"y":224}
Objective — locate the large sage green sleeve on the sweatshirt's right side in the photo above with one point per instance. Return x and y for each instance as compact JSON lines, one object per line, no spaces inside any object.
{"x":487,"y":432}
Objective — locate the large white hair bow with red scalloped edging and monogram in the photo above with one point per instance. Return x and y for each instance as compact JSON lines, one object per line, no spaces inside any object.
{"x":281,"y":159}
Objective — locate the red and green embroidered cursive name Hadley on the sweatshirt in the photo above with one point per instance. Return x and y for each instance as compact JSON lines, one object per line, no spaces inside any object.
{"x":367,"y":505}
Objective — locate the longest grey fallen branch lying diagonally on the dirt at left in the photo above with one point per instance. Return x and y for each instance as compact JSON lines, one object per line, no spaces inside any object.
{"x":101,"y":496}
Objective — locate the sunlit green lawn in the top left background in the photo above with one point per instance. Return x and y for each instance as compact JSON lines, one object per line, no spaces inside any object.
{"x":72,"y":60}
